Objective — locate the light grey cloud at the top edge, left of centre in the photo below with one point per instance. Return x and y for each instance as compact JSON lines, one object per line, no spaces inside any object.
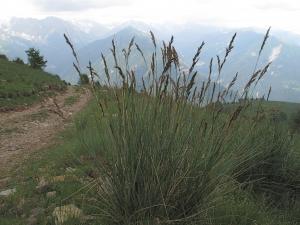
{"x":76,"y":5}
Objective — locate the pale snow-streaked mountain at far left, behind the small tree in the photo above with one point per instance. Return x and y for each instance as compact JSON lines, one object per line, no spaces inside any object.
{"x":47,"y":35}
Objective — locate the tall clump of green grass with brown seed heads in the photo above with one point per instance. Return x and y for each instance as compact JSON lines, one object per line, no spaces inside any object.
{"x":171,"y":148}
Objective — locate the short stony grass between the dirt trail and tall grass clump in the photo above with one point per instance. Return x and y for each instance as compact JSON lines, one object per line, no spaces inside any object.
{"x":49,"y":163}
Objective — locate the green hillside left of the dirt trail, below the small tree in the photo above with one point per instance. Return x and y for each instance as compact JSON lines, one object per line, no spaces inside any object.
{"x":21,"y":85}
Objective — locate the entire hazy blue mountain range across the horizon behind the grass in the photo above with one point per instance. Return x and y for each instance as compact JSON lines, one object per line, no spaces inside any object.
{"x":91,"y":39}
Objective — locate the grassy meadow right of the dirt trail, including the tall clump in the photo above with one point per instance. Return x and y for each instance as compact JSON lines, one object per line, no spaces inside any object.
{"x":163,"y":149}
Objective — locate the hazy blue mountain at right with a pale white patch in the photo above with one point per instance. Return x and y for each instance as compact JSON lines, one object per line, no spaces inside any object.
{"x":284,"y":72}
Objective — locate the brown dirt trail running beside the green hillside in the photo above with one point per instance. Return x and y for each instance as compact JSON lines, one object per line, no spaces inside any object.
{"x":24,"y":132}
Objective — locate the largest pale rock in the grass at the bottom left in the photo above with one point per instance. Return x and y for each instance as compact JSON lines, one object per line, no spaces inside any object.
{"x":64,"y":213}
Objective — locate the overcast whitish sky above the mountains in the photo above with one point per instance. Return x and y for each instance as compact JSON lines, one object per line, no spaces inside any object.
{"x":280,"y":14}
